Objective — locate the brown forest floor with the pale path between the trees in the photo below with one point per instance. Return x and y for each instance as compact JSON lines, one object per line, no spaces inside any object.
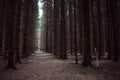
{"x":47,"y":67}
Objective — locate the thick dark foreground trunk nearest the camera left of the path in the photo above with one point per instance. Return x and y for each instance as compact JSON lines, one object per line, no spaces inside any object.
{"x":11,"y":27}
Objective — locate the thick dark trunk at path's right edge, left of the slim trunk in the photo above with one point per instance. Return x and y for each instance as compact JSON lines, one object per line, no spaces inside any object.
{"x":63,"y":31}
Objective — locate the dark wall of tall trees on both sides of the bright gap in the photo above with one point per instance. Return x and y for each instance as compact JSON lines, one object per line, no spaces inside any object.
{"x":87,"y":28}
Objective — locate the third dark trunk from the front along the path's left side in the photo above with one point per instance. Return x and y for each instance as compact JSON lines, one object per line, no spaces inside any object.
{"x":26,"y":26}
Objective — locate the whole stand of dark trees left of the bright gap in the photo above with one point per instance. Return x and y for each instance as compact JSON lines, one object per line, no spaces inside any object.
{"x":16,"y":21}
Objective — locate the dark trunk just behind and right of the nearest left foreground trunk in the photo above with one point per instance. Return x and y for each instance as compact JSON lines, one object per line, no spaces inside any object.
{"x":18,"y":31}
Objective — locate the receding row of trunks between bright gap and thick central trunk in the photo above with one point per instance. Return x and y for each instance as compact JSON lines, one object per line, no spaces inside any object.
{"x":56,"y":40}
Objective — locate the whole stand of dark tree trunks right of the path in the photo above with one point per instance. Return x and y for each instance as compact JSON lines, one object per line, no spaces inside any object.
{"x":93,"y":30}
